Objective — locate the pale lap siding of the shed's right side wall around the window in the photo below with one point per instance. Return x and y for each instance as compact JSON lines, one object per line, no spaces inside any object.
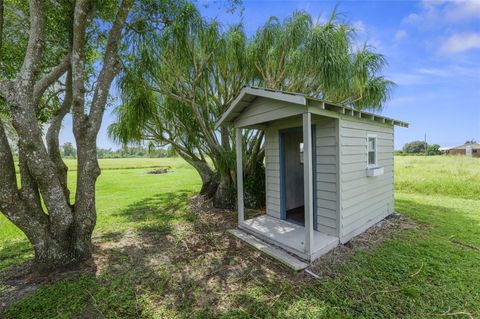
{"x":365,"y":200}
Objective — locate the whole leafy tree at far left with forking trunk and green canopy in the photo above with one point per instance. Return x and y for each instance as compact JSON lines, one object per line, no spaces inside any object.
{"x":75,"y":46}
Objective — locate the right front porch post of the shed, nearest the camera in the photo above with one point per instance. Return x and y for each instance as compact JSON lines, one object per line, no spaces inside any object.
{"x":308,"y":180}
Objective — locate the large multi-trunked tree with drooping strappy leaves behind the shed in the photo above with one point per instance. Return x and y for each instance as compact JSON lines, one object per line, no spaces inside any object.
{"x":178,"y":83}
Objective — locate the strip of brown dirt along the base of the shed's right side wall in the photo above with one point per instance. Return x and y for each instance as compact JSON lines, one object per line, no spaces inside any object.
{"x":327,"y":265}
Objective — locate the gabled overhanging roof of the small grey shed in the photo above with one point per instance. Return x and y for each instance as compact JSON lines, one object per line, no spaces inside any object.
{"x":249,"y":93}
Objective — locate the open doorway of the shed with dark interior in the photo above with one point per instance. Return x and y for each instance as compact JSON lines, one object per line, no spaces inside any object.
{"x":292,"y":175}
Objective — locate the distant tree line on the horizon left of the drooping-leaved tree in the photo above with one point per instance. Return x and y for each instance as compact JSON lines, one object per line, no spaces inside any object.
{"x":69,"y":151}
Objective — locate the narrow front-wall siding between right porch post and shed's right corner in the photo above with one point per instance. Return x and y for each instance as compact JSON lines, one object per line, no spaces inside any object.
{"x":326,"y":176}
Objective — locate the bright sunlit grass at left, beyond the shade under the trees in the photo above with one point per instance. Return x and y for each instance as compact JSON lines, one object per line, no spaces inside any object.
{"x":118,"y":186}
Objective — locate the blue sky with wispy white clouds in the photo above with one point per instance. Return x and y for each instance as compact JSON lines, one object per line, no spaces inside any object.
{"x":432,"y":49}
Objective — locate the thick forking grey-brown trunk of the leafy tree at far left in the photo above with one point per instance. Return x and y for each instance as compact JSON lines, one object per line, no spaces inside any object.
{"x":59,"y":232}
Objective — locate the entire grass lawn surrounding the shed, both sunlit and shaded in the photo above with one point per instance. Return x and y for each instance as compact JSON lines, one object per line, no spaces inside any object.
{"x":156,"y":259}
